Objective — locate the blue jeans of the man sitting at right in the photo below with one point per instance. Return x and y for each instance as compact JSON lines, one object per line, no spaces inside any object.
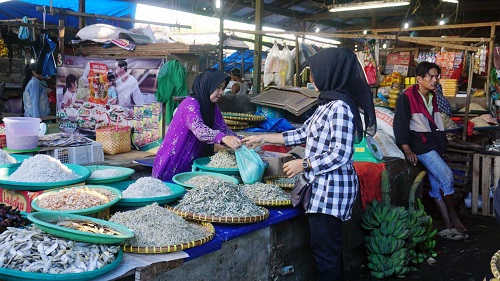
{"x":440,"y":175}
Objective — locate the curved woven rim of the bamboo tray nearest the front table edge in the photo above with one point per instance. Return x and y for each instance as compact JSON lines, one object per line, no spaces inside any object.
{"x":173,"y":248}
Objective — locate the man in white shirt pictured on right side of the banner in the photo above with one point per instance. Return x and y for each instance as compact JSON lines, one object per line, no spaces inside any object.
{"x":127,"y":87}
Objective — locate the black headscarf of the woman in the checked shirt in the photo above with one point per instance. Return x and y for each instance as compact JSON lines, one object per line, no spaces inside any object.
{"x":339,"y":76}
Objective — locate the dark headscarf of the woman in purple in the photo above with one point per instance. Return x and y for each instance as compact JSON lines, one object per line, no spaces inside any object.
{"x":203,"y":86}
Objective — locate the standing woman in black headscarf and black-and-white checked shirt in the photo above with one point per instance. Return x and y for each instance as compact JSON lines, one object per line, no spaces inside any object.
{"x":329,"y":135}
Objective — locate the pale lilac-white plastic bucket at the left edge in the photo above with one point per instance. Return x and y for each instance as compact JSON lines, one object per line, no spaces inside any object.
{"x":22,"y":132}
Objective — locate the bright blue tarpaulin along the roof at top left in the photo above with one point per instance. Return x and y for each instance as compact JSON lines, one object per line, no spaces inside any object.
{"x":19,"y":9}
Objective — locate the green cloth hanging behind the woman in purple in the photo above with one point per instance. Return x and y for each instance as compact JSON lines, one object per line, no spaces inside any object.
{"x":171,"y":83}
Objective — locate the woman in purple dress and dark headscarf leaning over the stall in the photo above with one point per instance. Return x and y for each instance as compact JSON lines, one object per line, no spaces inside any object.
{"x":196,"y":126}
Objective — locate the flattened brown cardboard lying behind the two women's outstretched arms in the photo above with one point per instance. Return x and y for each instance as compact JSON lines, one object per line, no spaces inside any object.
{"x":292,"y":99}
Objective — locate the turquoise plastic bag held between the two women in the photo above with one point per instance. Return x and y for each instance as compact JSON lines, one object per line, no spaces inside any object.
{"x":250,"y":165}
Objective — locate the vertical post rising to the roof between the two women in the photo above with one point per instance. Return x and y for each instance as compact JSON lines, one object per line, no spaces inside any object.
{"x":257,"y":59}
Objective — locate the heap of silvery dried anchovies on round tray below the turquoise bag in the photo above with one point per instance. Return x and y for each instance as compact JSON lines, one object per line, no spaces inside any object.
{"x":225,"y":200}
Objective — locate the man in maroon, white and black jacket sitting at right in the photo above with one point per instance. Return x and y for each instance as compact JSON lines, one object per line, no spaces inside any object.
{"x":419,"y":132}
